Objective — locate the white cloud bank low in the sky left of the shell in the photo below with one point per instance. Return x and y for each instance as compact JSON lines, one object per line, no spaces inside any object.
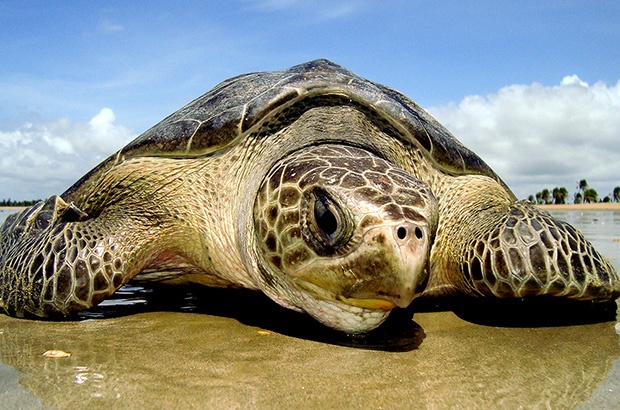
{"x":41,"y":158}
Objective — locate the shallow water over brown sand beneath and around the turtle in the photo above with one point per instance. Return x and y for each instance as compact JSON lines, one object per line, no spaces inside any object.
{"x":232,"y":349}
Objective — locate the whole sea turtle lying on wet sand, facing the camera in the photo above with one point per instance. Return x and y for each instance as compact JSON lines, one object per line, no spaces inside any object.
{"x":333,"y":195}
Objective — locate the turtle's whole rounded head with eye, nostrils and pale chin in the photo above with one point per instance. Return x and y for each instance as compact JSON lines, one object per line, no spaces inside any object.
{"x":343,"y":235}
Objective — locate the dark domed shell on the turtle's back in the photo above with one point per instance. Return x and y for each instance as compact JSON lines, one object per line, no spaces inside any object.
{"x":224,"y":115}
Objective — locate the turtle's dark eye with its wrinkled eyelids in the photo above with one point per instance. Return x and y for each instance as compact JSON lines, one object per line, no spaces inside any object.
{"x":327,"y":222}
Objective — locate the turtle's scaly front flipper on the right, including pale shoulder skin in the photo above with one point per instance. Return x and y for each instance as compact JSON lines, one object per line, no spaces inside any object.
{"x":497,"y":247}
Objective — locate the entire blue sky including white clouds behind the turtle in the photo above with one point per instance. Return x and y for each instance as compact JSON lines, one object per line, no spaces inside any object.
{"x":532,"y":86}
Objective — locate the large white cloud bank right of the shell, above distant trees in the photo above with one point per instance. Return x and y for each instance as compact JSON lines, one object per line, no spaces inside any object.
{"x":539,"y":137}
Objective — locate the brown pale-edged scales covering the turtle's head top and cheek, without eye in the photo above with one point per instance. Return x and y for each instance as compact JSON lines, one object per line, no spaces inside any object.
{"x":377,"y":190}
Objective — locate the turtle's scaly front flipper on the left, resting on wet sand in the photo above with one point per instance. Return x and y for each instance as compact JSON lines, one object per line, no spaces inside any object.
{"x":56,"y":260}
